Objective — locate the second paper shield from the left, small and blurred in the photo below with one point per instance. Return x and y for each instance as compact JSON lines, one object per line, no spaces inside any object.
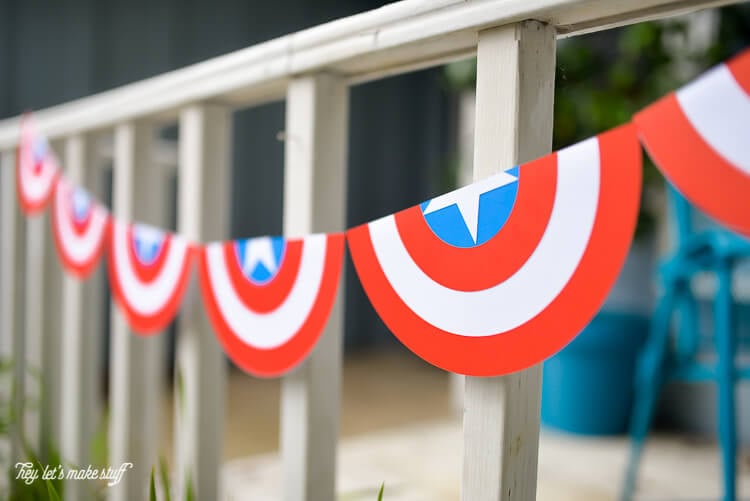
{"x":79,"y":227}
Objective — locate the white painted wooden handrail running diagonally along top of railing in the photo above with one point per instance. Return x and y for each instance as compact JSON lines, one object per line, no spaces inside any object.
{"x":392,"y":39}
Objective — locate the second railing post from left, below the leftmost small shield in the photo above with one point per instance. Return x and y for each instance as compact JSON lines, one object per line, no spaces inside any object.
{"x":42,"y":338}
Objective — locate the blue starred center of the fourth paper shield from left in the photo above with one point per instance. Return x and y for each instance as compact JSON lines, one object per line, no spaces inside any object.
{"x":260,"y":258}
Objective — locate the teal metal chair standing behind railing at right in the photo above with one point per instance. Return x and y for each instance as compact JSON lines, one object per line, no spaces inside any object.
{"x":672,"y":349}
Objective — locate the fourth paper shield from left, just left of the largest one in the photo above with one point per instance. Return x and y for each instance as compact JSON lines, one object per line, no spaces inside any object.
{"x":270,"y":298}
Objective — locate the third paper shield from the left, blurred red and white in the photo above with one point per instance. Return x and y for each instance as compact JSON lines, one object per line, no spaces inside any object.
{"x":149,"y":272}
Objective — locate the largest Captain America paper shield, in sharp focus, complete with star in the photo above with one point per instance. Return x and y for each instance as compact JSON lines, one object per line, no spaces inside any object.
{"x":497,"y":276}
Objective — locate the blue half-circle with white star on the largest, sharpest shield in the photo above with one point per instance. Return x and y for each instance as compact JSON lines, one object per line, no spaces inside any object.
{"x":472,"y":215}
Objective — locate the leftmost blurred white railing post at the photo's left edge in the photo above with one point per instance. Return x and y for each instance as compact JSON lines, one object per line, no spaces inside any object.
{"x":12,"y":258}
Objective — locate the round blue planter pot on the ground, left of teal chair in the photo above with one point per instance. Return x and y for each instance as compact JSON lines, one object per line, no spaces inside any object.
{"x":588,"y":386}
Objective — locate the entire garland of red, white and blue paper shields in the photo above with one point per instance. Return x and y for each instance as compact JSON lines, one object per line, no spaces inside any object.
{"x":485,"y":280}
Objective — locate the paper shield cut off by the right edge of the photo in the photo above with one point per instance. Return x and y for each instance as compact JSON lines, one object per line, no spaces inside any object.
{"x":699,"y":137}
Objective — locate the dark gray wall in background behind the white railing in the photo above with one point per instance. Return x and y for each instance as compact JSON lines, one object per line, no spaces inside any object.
{"x":401,"y":132}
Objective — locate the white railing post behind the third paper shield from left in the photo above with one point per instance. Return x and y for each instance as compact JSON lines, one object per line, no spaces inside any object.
{"x":135,"y":362}
